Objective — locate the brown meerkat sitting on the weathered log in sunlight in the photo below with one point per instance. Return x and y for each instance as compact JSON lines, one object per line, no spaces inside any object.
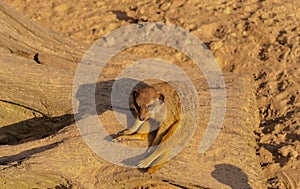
{"x":158,"y":99}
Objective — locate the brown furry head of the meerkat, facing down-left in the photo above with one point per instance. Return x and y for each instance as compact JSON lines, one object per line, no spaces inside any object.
{"x":147,"y":102}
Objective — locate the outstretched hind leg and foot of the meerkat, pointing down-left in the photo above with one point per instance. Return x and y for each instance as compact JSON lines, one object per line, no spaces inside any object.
{"x":161,"y":153}
